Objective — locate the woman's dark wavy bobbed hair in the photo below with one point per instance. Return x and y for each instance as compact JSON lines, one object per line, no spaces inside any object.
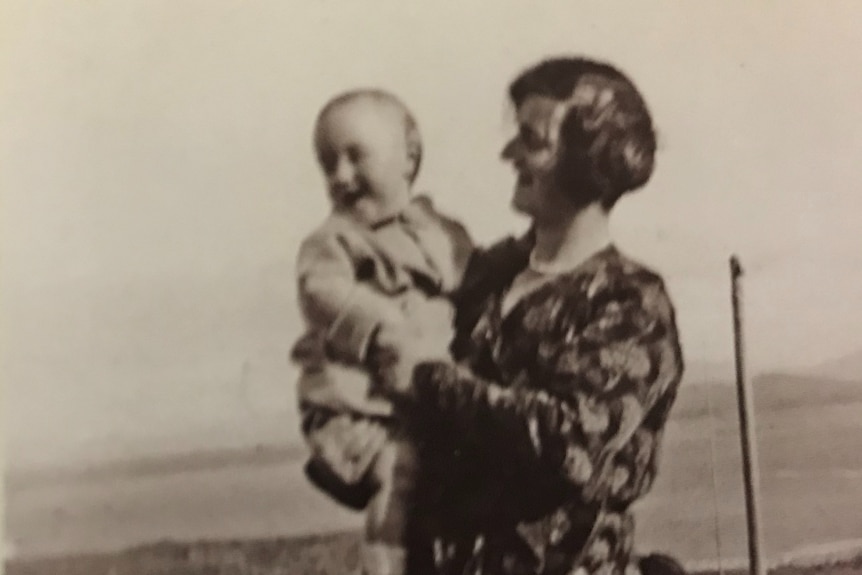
{"x":607,"y":140}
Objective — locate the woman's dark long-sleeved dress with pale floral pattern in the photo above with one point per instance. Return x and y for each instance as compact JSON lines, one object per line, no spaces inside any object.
{"x":537,"y":444}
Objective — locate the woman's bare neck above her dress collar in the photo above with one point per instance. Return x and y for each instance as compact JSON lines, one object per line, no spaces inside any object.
{"x":568,"y":242}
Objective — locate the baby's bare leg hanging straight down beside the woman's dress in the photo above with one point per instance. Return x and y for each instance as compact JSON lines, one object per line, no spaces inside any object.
{"x":389,"y":510}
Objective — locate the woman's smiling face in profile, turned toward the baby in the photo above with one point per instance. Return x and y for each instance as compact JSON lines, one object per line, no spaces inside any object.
{"x":533,"y":152}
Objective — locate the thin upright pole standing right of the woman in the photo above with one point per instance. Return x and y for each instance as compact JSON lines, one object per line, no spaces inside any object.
{"x":751,"y":473}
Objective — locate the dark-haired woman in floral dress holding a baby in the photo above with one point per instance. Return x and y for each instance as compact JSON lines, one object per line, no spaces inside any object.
{"x":537,"y":444}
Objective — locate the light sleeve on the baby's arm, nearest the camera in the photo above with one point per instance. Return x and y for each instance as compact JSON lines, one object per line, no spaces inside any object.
{"x":331,"y":297}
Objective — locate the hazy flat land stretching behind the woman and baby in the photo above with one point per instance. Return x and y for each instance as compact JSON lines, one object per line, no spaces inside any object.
{"x":809,"y":434}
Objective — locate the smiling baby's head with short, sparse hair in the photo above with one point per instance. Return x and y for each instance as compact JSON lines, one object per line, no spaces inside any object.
{"x":369,"y":149}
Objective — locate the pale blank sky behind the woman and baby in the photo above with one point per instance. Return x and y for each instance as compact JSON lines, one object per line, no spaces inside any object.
{"x":157,"y":176}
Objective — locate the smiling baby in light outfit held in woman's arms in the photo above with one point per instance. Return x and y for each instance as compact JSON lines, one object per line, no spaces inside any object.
{"x":382,"y":259}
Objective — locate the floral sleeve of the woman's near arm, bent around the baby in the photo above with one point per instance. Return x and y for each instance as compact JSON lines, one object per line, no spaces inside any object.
{"x":595,"y":389}
